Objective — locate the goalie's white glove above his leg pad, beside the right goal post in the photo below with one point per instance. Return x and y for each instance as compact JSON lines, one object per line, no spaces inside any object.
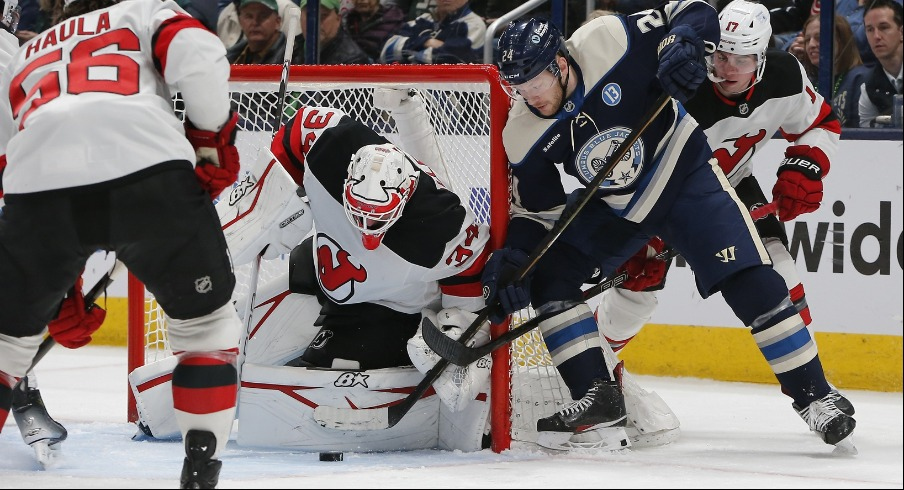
{"x":457,"y":386}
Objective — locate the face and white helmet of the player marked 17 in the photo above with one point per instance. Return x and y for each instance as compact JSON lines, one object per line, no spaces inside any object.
{"x":745,"y":30}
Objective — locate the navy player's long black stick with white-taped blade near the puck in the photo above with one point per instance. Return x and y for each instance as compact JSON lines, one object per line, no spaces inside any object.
{"x":384,"y":417}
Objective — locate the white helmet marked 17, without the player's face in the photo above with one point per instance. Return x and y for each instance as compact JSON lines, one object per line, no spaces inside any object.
{"x":745,"y":29}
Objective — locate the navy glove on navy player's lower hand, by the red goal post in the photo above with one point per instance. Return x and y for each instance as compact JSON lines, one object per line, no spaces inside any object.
{"x":498,"y":275}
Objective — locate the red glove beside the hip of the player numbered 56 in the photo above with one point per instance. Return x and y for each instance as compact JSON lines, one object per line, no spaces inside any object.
{"x":217,"y":157}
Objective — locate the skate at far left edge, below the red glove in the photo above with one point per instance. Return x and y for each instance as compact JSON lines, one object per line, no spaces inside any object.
{"x":37,"y":427}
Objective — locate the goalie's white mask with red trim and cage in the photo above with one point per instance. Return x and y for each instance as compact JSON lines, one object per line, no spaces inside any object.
{"x":381,"y":180}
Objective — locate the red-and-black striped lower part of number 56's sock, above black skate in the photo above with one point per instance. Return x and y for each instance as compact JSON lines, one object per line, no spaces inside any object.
{"x":205,"y":388}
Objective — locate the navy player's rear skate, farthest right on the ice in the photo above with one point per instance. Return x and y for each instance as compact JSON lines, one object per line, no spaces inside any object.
{"x":831,"y":418}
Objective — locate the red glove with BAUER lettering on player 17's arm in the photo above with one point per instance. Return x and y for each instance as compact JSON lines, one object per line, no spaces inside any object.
{"x":798,"y":189}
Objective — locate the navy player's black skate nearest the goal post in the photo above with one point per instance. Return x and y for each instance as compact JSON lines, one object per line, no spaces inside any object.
{"x":596,"y":421}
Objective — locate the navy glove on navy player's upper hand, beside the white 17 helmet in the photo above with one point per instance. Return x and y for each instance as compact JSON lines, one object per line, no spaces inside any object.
{"x":681,"y":66}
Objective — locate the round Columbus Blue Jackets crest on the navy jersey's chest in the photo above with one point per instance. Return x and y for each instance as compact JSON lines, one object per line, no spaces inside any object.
{"x":600,"y":149}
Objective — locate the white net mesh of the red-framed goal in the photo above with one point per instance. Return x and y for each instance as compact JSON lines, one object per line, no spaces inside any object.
{"x":460,"y":115}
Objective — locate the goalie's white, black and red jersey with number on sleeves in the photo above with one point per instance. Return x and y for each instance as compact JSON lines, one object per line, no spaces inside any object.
{"x":436,"y":245}
